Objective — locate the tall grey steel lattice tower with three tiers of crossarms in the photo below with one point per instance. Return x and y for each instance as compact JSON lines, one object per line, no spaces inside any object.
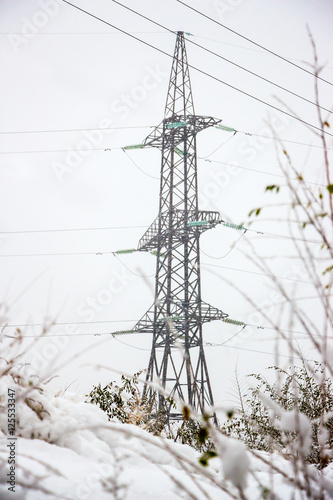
{"x":178,"y":312}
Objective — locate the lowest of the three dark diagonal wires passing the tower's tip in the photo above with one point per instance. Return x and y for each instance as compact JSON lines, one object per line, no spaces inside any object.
{"x":201,"y":71}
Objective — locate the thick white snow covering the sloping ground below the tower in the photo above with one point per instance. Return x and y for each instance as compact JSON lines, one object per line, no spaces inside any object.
{"x":67,"y":449}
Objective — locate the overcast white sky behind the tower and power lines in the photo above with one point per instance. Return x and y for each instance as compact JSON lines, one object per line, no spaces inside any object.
{"x":64,"y":70}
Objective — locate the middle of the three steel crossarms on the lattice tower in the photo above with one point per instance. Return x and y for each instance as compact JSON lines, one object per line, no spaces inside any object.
{"x":184,"y":225}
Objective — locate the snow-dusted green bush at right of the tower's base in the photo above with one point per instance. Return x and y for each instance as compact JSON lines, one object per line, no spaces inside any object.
{"x":301,"y":399}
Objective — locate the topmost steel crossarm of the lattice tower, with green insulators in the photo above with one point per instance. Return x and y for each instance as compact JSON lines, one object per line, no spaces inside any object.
{"x":176,"y":129}
